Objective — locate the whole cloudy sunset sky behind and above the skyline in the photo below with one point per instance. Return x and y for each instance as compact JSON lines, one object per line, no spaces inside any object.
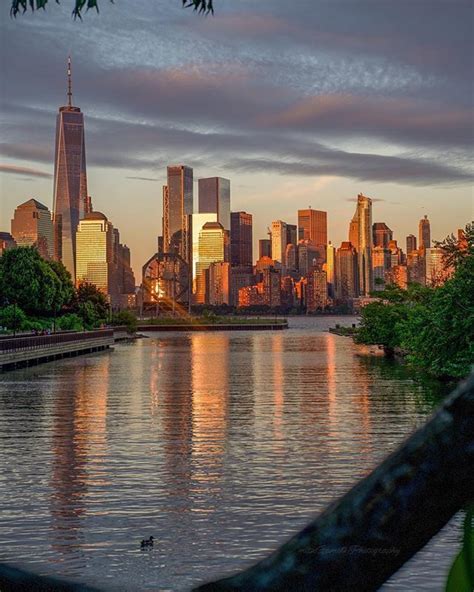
{"x":298,"y":103}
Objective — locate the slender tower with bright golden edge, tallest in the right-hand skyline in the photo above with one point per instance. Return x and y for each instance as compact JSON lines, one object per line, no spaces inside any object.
{"x":360,"y":231}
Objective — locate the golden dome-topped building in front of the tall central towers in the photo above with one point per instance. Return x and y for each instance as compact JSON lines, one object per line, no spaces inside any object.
{"x":212,"y":248}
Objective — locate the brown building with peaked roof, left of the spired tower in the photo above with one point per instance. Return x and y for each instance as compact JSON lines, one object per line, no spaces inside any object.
{"x":32,"y":226}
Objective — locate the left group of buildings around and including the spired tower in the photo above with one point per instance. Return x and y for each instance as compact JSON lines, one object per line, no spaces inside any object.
{"x":85,"y":241}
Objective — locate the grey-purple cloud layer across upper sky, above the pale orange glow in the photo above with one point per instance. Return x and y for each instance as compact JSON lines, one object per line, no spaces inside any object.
{"x":295,"y":89}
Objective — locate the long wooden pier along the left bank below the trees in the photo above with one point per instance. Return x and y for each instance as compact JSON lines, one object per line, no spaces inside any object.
{"x":35,"y":349}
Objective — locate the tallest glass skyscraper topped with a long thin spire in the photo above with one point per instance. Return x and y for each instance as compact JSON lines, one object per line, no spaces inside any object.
{"x":70,"y":179}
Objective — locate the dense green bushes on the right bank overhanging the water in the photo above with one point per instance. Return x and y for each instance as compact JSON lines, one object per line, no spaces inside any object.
{"x":434,"y":327}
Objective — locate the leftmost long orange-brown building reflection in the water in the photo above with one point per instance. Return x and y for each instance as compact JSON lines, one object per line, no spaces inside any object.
{"x":79,"y":444}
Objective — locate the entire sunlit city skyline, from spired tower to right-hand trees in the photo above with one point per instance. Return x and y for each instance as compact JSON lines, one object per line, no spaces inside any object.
{"x":205,"y":257}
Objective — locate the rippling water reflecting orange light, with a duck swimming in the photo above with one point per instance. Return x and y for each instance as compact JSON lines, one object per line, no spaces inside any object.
{"x":220,"y":445}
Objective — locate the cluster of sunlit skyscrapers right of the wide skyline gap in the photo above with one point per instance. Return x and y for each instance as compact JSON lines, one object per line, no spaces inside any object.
{"x":206,"y":257}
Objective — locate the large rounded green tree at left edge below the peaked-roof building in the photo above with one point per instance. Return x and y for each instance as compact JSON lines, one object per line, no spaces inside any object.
{"x":28,"y":281}
